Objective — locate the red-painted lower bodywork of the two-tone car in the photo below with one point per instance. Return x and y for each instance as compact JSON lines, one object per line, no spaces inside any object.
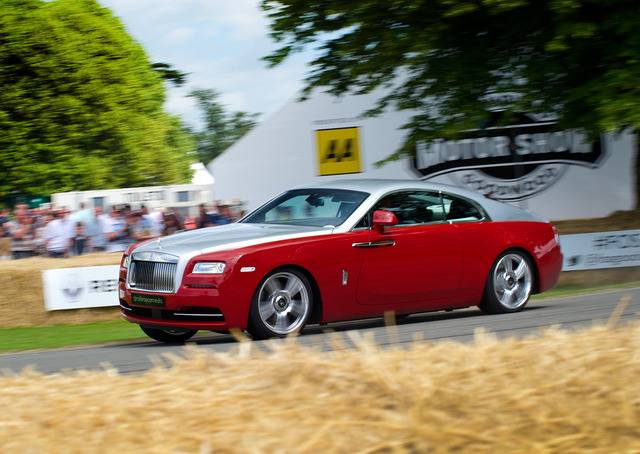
{"x":430,"y":267}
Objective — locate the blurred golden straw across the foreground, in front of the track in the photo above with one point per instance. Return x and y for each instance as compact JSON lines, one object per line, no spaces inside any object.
{"x":558,"y":392}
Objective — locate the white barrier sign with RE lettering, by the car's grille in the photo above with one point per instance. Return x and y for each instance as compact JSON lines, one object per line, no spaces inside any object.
{"x":76,"y":288}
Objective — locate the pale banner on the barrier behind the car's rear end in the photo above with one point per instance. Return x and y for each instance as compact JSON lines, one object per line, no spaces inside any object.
{"x":590,"y":251}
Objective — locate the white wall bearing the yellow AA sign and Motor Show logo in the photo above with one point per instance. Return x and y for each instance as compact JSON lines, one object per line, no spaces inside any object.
{"x":529,"y":161}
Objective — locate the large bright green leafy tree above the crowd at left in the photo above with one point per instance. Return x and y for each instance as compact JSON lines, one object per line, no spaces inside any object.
{"x":80,"y":105}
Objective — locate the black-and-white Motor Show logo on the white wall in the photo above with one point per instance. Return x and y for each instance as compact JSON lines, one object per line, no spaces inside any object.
{"x":511,"y":162}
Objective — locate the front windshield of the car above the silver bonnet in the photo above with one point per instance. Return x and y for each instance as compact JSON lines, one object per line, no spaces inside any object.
{"x":311,"y":207}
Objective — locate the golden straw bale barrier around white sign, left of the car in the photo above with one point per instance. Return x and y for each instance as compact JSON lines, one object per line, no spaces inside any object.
{"x":21,"y":295}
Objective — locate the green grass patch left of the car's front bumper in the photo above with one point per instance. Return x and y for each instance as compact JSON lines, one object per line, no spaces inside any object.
{"x":56,"y":336}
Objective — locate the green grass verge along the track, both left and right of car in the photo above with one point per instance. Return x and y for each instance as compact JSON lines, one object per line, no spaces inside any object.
{"x":57,"y":336}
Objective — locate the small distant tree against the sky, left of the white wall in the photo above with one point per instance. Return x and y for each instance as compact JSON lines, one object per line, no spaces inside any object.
{"x":221,"y":128}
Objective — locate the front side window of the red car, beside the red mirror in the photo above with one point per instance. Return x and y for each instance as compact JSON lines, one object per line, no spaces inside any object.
{"x":410,"y":207}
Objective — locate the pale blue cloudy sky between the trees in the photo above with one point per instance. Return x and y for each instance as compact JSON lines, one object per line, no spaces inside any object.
{"x":219,"y":43}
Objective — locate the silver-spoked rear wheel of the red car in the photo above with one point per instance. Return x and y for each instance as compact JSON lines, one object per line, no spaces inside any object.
{"x":509,"y":284}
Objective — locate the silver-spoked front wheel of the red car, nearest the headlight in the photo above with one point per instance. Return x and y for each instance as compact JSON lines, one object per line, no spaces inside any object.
{"x":281,"y":305}
